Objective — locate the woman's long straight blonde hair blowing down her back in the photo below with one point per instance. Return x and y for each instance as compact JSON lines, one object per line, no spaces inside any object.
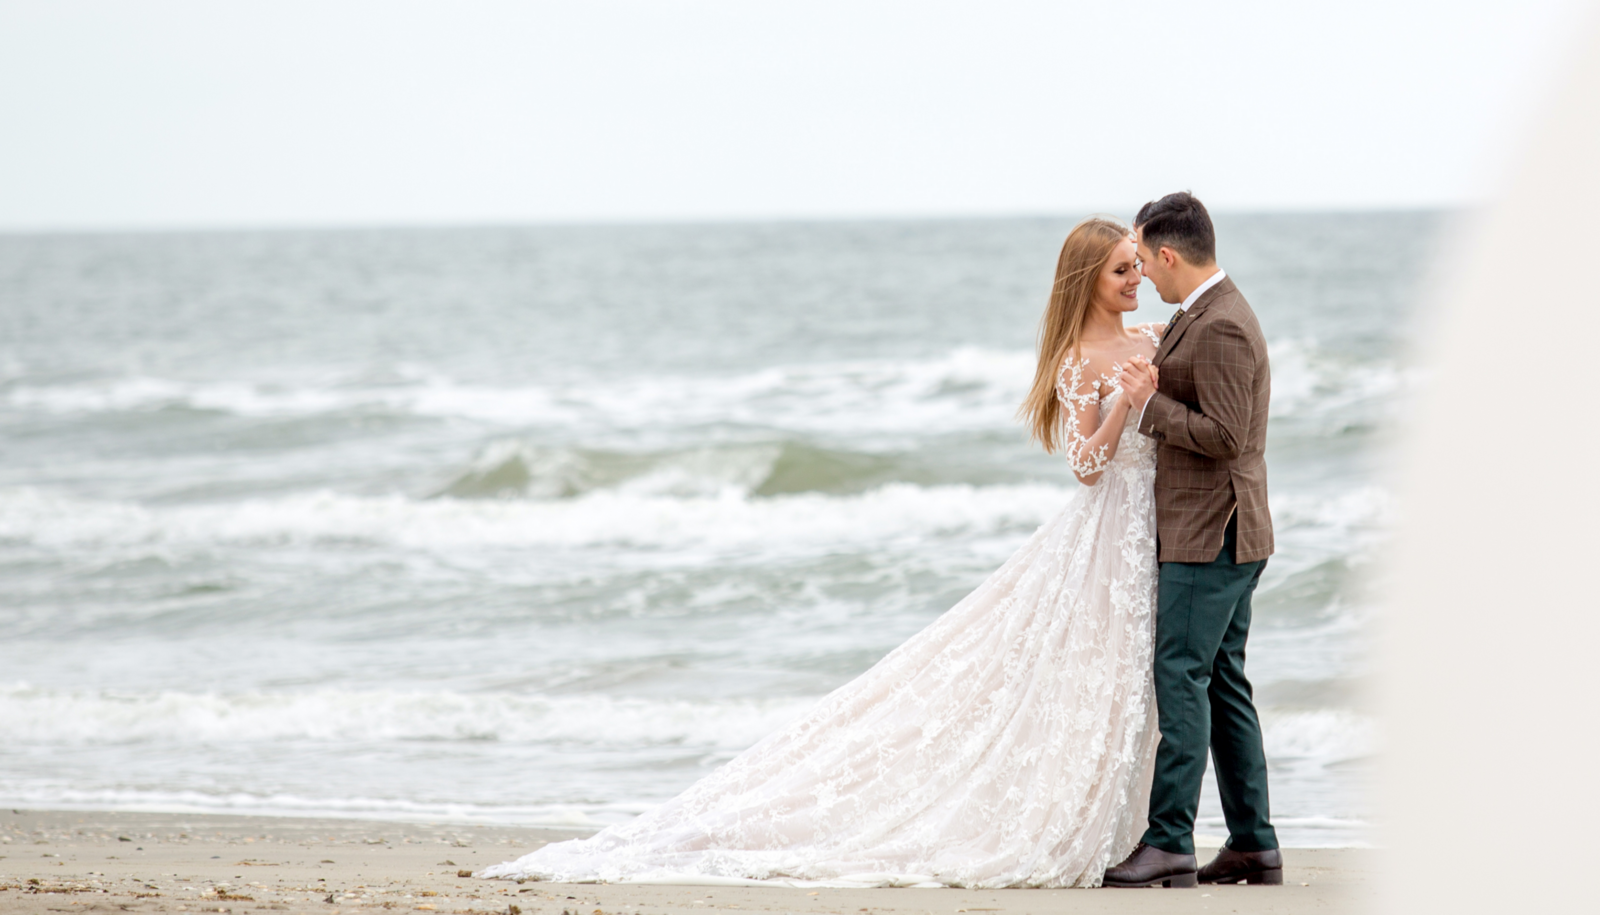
{"x":1084,"y":255}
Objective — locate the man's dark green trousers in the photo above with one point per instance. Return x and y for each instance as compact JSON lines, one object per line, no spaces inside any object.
{"x":1202,"y":700}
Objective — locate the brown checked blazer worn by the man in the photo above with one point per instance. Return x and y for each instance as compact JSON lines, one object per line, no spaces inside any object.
{"x":1210,"y":422}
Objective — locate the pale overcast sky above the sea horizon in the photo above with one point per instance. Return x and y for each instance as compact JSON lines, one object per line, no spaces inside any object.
{"x":284,"y":113}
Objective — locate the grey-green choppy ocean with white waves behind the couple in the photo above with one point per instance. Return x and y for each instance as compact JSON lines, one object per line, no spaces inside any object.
{"x":537,"y":525}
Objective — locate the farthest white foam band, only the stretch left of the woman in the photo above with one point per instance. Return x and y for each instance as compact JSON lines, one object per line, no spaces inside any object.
{"x":966,"y":390}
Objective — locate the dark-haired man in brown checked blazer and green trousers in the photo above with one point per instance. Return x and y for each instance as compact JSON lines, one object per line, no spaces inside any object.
{"x":1214,"y":538}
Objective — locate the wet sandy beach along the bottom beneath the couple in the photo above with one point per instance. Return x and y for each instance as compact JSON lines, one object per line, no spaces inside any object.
{"x":90,"y":861}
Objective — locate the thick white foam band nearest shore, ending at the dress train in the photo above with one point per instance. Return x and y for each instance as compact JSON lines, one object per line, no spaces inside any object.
{"x":36,"y":716}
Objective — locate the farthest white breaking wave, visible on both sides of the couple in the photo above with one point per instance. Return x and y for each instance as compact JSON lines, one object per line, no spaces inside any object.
{"x":966,"y":390}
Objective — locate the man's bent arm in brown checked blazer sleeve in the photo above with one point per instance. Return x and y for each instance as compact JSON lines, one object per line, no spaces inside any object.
{"x":1225,"y":369}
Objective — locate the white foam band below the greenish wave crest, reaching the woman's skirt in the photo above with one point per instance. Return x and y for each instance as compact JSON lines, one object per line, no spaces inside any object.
{"x":607,"y":517}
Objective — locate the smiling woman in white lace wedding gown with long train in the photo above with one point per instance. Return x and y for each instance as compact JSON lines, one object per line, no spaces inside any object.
{"x":1012,"y":741}
